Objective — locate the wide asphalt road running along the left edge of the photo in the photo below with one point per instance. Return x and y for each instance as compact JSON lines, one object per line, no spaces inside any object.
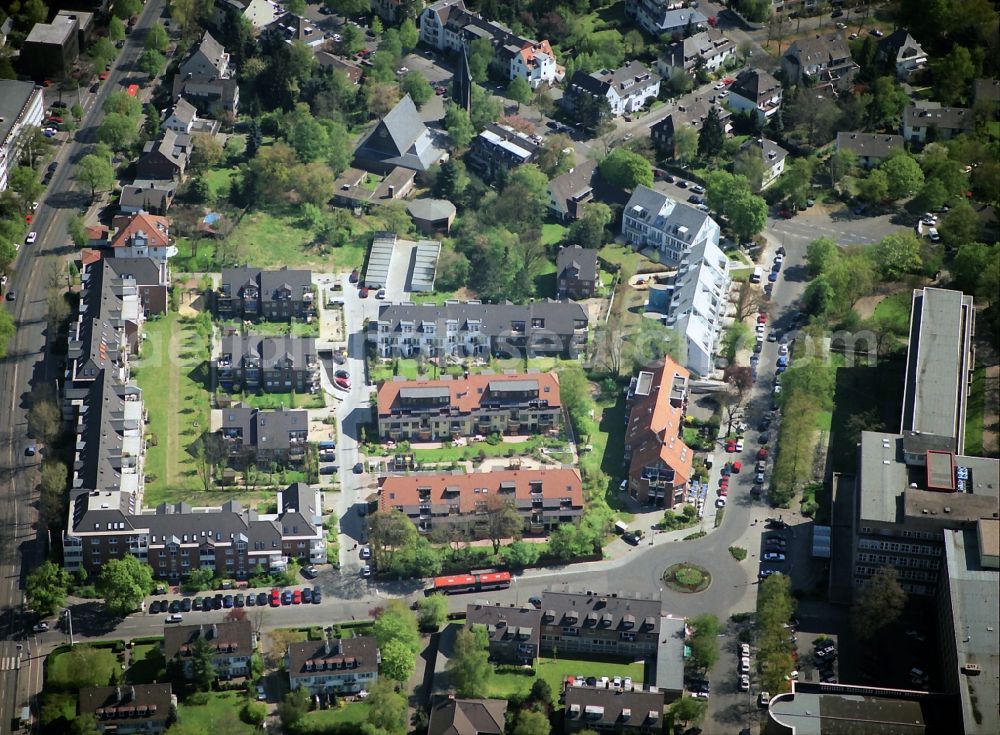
{"x":23,"y":543}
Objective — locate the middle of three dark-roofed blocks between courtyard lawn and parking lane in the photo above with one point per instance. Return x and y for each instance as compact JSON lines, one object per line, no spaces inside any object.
{"x":269,"y":364}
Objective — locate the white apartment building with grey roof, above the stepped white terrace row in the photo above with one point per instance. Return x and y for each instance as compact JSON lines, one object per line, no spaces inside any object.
{"x":670,"y":228}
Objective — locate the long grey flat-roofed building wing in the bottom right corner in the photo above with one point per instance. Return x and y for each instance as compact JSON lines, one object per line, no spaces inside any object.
{"x":967,"y":620}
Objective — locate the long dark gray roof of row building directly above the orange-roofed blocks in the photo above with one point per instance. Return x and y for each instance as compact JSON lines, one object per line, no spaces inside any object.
{"x":496,"y":319}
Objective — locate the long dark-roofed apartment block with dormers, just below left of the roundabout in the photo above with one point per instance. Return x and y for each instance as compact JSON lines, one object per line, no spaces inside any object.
{"x":607,"y":625}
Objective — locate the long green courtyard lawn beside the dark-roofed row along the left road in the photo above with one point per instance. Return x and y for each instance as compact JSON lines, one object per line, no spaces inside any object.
{"x":173,"y":375}
